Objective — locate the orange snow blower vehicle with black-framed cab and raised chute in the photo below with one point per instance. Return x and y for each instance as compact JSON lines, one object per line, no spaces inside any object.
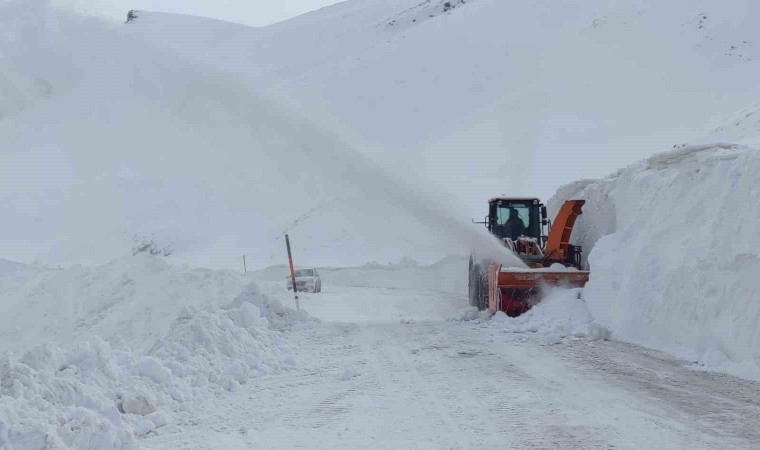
{"x":551,"y":260}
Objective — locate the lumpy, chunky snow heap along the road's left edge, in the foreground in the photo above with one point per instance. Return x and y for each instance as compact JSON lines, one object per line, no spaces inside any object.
{"x":94,"y":396}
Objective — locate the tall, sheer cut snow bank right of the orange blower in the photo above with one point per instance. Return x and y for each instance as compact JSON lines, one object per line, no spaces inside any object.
{"x":673,"y":252}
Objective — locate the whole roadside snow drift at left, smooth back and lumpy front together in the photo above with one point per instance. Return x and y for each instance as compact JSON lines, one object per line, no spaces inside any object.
{"x":83,"y":391}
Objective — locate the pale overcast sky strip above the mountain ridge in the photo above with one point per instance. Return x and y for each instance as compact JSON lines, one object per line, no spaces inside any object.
{"x":249,"y":12}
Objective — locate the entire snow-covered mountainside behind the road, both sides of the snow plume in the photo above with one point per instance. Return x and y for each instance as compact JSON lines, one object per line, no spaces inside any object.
{"x":172,"y":130}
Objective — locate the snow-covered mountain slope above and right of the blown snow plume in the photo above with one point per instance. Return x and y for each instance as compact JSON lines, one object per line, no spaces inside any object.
{"x":487,"y":96}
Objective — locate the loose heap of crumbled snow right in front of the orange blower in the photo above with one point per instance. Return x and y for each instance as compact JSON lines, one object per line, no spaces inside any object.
{"x":561,"y":313}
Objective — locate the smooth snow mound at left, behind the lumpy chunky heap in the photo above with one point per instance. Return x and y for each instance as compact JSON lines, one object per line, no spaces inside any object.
{"x":129,"y":302}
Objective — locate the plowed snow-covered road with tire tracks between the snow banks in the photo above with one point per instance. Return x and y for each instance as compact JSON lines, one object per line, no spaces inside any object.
{"x":386,"y":370}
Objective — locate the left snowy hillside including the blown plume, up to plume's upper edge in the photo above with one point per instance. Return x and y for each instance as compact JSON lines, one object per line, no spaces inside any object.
{"x":139,"y":148}
